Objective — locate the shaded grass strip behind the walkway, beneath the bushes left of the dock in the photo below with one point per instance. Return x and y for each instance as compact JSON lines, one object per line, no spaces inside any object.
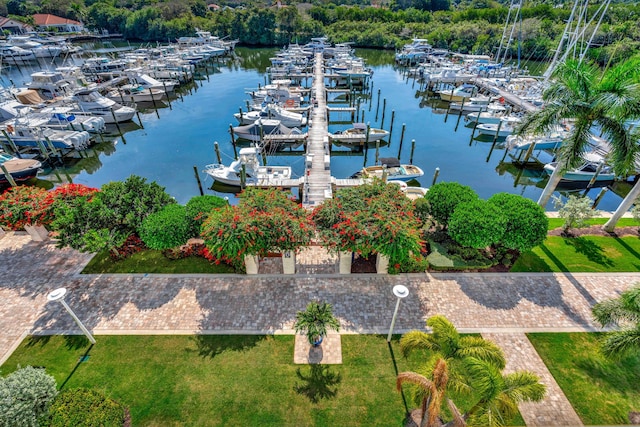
{"x":150,"y":261}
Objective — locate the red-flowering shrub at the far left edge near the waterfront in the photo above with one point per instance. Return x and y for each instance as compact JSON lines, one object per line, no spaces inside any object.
{"x":23,"y":205}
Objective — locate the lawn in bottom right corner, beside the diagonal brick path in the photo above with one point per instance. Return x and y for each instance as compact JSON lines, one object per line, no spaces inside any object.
{"x":601,"y":391}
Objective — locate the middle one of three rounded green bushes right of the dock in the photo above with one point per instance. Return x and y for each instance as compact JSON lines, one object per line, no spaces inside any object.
{"x":477,"y":224}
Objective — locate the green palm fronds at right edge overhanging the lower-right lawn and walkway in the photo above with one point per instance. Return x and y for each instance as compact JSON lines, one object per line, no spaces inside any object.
{"x":625,"y":311}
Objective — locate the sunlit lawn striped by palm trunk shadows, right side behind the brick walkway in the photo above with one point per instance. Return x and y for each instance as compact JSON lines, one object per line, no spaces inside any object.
{"x":582,"y":254}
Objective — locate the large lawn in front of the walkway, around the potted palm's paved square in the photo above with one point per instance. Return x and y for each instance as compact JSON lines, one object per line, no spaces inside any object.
{"x":229,"y":380}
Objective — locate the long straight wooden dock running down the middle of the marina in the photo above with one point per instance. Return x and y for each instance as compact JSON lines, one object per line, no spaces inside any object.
{"x":317,"y":180}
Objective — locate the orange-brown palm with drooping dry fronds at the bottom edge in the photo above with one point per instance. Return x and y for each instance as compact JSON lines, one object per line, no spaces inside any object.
{"x":432,"y":393}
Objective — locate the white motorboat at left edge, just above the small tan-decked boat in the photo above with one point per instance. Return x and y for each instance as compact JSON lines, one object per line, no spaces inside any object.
{"x":26,"y":135}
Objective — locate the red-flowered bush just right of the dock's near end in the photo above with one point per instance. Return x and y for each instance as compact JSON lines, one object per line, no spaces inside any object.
{"x":371,"y":218}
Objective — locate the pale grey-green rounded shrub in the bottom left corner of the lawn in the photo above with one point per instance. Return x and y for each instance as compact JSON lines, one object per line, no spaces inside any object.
{"x":25,"y":397}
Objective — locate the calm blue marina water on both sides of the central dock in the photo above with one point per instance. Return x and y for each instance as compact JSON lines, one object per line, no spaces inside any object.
{"x":168,"y":147}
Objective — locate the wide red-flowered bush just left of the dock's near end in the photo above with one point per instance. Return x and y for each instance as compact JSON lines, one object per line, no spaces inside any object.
{"x":264,"y":221}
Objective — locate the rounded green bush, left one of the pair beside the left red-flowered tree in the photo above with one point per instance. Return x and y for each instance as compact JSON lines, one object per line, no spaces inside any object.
{"x":167,"y":228}
